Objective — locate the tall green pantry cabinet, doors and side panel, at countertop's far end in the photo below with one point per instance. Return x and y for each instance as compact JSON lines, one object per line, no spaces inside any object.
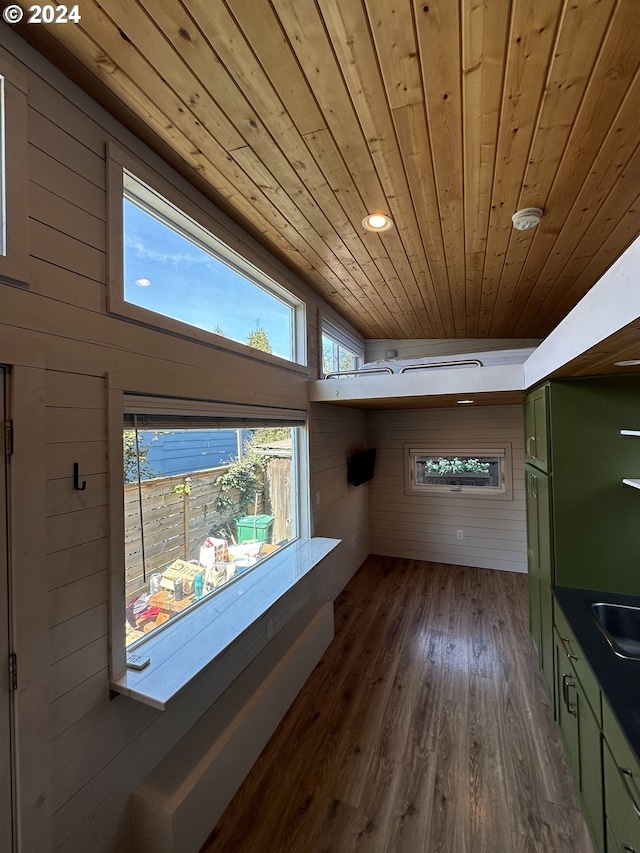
{"x":582,"y":526}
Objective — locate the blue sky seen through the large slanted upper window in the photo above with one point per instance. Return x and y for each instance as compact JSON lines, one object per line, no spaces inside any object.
{"x":190,"y":285}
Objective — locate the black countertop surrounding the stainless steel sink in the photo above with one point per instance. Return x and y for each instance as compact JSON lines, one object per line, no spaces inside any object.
{"x":619,"y":678}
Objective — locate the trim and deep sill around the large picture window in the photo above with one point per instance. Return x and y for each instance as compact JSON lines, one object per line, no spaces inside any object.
{"x":173,"y":663}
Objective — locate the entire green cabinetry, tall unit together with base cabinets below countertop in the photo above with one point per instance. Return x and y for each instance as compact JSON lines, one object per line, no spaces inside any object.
{"x":583,"y":532}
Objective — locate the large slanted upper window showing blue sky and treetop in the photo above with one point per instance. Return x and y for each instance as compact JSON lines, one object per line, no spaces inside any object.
{"x":177,"y":269}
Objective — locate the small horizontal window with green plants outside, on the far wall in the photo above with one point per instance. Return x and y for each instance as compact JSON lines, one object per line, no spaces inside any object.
{"x":479,"y":471}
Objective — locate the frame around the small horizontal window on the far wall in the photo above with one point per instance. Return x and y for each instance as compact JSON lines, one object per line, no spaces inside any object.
{"x":502,"y":449}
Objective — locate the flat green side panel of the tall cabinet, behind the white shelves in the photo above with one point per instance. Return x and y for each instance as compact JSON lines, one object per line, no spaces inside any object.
{"x":596,"y":517}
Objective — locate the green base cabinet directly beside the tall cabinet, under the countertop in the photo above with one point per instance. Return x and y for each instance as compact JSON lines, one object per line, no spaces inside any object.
{"x":580,"y":726}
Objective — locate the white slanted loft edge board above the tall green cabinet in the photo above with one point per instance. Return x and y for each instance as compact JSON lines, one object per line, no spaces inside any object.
{"x":611,"y":304}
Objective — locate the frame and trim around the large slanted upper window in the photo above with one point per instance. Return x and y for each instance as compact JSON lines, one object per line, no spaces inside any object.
{"x":154,"y":190}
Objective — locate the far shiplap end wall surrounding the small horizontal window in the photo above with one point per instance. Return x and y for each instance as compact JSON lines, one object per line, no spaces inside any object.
{"x":424,"y":526}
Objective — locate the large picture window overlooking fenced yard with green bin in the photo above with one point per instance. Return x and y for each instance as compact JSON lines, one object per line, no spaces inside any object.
{"x":206,"y":499}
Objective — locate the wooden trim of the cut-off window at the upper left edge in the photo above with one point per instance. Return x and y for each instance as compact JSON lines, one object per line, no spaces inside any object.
{"x":14,"y":245}
